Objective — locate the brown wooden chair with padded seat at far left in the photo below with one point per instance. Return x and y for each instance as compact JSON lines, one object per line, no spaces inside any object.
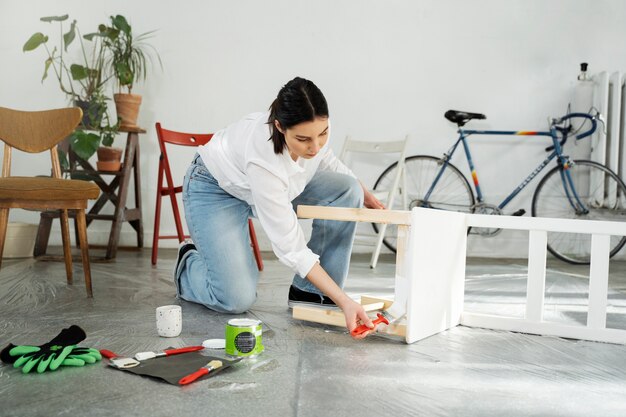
{"x":35,"y":132}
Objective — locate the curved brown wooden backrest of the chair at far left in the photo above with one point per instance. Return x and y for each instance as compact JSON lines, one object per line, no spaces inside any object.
{"x":36,"y":131}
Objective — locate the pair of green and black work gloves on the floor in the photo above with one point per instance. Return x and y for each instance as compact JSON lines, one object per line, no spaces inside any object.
{"x":48,"y":356}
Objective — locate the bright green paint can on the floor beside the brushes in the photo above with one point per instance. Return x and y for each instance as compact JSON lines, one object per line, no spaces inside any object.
{"x":243,"y":338}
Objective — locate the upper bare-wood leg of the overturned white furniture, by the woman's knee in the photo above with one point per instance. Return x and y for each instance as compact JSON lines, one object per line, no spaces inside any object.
{"x":355,"y":215}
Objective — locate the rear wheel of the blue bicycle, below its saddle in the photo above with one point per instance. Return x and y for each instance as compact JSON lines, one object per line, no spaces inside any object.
{"x":452,"y":191}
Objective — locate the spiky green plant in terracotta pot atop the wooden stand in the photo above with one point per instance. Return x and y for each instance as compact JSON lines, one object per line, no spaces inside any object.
{"x":128,"y":63}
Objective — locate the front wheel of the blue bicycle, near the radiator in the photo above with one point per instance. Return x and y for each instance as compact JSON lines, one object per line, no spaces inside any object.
{"x":599,"y":189}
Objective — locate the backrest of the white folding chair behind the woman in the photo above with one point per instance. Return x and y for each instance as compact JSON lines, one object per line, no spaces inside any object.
{"x":381,"y":147}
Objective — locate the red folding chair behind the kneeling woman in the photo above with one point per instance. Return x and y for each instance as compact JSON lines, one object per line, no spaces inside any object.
{"x":169,"y":189}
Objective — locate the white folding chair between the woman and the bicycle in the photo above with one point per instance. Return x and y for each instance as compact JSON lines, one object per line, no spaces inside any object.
{"x":386,"y":196}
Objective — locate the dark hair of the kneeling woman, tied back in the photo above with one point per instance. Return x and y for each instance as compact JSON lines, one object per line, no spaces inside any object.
{"x":298,"y":101}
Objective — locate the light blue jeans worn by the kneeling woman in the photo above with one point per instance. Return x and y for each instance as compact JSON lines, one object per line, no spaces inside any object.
{"x":221,"y":273}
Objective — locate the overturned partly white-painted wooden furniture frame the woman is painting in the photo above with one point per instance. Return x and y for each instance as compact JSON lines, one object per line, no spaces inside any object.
{"x":433,"y":269}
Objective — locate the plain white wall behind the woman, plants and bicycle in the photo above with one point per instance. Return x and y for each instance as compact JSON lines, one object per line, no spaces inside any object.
{"x":387,"y":68}
